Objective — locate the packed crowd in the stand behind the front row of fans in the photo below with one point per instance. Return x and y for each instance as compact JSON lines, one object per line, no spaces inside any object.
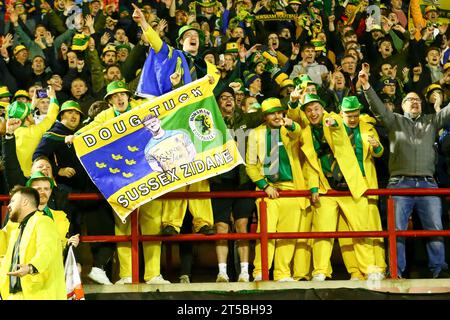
{"x":71,"y":50}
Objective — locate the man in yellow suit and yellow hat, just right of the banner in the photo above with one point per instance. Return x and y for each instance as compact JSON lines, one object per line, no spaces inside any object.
{"x":273,"y":164}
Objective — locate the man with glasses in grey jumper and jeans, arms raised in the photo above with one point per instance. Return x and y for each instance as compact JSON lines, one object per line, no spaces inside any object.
{"x":411,"y":165}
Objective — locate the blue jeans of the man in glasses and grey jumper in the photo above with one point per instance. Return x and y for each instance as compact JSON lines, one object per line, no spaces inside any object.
{"x":429,"y":210}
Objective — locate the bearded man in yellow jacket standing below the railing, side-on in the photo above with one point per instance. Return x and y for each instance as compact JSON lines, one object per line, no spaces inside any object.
{"x":36,"y":271}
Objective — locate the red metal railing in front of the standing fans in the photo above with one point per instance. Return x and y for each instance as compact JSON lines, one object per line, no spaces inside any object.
{"x":391,"y":233}
